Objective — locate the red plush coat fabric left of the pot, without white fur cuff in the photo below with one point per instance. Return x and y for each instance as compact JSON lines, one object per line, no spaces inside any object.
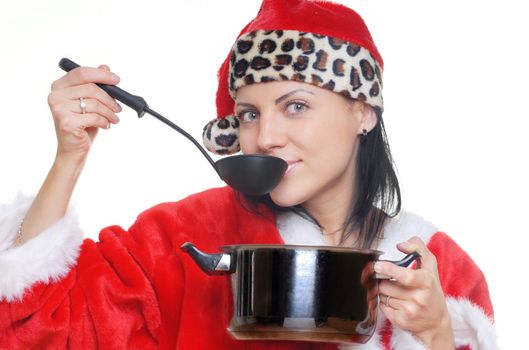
{"x":135,"y":289}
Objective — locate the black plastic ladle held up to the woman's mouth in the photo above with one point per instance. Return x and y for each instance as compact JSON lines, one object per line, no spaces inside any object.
{"x":250,"y":174}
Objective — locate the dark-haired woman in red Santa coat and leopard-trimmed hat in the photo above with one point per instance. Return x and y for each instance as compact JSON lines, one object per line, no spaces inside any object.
{"x":304,"y":82}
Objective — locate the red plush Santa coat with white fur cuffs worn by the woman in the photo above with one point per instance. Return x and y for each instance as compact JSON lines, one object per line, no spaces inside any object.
{"x":135,"y":289}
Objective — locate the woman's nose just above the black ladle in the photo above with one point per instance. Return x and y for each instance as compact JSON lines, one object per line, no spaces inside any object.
{"x":272,"y":132}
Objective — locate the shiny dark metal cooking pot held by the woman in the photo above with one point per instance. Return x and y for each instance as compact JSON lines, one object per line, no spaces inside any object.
{"x":289,"y":292}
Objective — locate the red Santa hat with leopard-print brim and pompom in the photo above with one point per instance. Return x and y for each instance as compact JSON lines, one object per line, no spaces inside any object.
{"x":317,"y":42}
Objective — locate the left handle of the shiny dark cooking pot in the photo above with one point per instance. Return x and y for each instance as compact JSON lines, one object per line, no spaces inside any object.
{"x":212,"y":264}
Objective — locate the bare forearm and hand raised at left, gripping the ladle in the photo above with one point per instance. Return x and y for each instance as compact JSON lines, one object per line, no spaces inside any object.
{"x":75,"y":133}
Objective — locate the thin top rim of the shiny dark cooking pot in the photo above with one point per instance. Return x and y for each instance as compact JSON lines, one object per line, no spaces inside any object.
{"x":237,"y":247}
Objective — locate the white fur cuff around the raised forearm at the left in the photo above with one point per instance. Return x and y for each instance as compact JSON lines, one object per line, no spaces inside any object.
{"x":45,"y":258}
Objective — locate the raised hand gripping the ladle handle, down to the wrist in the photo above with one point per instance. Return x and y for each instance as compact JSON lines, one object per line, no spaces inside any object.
{"x":76,"y":130}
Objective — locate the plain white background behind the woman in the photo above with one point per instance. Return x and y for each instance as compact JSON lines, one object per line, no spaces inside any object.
{"x":455,"y":89}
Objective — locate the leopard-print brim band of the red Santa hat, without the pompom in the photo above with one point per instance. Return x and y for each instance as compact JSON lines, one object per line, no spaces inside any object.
{"x":326,"y":62}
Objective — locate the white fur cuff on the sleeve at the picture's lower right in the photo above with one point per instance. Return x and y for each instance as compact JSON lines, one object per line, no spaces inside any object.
{"x":471,"y":326}
